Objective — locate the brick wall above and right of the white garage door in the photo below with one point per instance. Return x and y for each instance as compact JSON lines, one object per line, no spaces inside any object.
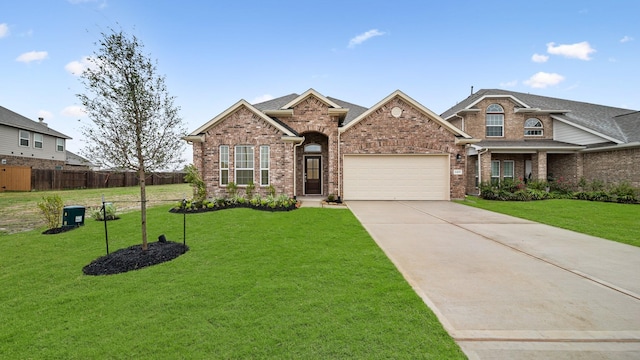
{"x":412,"y":133}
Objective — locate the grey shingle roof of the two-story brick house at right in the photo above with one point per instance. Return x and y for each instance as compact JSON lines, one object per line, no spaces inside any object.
{"x":609,"y":122}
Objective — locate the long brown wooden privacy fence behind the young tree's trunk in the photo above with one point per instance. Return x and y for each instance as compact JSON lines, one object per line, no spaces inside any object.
{"x":42,"y":179}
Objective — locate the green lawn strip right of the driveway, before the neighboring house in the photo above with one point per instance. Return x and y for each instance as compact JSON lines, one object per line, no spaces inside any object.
{"x":613,"y":221}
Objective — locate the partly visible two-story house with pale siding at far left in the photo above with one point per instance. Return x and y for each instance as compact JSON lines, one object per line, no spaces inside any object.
{"x":24,"y":142}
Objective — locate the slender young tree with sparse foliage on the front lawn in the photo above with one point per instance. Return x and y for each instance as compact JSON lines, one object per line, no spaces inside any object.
{"x":135,"y":124}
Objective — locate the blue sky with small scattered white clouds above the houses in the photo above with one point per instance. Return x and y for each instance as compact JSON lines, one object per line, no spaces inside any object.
{"x":214,"y":53}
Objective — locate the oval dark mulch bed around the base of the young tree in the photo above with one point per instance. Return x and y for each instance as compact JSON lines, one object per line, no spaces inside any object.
{"x":134,"y":258}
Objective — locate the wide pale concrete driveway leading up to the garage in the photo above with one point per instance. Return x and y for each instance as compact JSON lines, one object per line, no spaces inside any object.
{"x":507,"y":288}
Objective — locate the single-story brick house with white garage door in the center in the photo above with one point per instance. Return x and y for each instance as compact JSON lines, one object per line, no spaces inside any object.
{"x":311,"y":144}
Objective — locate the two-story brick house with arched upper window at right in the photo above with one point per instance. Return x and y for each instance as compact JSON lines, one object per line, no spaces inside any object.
{"x":526,"y":136}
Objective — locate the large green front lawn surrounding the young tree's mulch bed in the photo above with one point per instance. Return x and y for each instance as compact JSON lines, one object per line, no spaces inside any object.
{"x":306,"y":284}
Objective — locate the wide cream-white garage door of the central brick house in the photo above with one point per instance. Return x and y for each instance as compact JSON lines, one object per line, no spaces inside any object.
{"x":396,"y":177}
